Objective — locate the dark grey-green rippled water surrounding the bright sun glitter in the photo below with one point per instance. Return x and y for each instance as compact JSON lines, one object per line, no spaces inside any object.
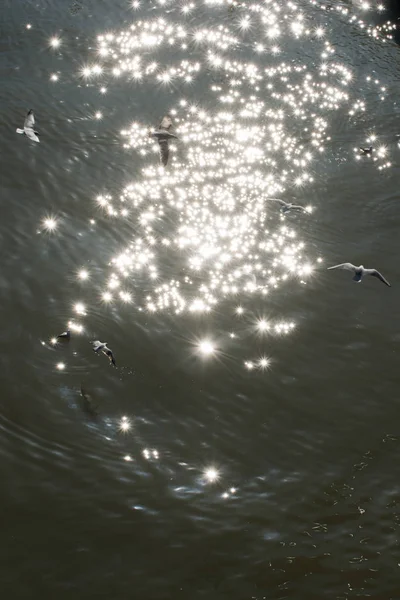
{"x":311,"y":447}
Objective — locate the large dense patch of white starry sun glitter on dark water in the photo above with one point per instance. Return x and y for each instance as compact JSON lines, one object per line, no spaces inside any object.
{"x":226,"y":161}
